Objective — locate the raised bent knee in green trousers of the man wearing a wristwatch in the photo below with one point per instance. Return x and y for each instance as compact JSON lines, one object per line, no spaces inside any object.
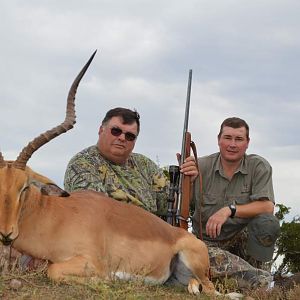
{"x":263,"y":231}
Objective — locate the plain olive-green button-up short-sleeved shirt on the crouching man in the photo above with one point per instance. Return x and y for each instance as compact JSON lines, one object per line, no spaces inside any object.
{"x":252,"y":181}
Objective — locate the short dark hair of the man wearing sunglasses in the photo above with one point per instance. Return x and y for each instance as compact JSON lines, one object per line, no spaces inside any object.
{"x":128,"y":116}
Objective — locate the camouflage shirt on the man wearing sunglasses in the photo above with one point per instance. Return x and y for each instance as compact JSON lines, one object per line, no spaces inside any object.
{"x":140,"y":181}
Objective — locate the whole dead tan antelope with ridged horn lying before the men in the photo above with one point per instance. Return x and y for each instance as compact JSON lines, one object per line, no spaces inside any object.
{"x":87,"y":234}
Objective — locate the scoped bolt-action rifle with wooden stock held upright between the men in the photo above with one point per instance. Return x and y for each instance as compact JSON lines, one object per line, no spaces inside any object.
{"x":180,"y":185}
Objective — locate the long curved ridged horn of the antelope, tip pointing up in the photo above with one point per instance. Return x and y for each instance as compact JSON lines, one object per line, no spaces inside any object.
{"x":68,"y":123}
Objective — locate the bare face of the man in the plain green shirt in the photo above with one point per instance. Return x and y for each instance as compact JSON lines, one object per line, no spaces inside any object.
{"x":233,"y":143}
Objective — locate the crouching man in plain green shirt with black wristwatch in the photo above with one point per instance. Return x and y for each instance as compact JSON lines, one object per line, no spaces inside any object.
{"x":236,"y":202}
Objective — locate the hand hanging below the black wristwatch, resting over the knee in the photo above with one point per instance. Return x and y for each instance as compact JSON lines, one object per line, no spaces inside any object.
{"x":216,"y":221}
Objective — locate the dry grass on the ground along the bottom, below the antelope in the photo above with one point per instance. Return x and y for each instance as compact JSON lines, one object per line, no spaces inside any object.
{"x":17,"y":284}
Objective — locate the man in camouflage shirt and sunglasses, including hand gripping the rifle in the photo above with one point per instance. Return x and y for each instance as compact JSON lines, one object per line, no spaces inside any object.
{"x":110,"y":166}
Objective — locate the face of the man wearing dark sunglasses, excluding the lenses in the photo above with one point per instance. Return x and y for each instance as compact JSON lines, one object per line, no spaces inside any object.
{"x":116,"y":148}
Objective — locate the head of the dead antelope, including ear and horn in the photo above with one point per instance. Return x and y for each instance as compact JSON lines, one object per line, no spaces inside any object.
{"x":16,"y":177}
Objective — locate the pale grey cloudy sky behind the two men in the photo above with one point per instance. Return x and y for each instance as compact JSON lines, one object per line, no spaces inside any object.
{"x":244,"y":56}
